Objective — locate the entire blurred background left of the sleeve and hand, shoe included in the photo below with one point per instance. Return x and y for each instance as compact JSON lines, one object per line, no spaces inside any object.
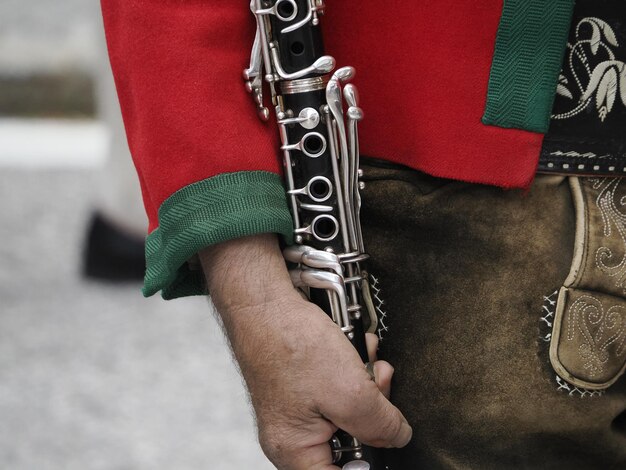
{"x":92,"y":375}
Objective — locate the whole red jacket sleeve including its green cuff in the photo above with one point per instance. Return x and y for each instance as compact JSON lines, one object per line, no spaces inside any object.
{"x":208,"y":167}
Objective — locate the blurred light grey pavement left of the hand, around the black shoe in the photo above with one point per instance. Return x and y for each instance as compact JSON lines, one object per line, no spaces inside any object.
{"x":95,"y":377}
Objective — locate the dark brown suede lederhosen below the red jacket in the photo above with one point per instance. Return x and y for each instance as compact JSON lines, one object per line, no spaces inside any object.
{"x":470,"y":284}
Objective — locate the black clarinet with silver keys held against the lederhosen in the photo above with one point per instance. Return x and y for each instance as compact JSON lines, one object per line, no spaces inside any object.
{"x":318,"y":113}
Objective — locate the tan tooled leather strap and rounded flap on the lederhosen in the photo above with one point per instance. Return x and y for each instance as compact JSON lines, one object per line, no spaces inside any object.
{"x":588,"y":344}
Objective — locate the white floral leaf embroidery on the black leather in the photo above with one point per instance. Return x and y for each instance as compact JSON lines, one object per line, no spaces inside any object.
{"x":591,"y":62}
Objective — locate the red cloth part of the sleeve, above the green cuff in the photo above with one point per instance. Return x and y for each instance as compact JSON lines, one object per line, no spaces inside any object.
{"x":187,"y":115}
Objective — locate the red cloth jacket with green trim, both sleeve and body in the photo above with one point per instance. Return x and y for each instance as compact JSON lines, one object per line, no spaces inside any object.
{"x":423,"y":72}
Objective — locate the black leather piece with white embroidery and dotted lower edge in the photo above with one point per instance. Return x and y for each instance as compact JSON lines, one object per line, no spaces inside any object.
{"x":586,"y":135}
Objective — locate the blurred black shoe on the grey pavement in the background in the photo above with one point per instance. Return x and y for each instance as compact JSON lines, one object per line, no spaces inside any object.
{"x":112,"y":254}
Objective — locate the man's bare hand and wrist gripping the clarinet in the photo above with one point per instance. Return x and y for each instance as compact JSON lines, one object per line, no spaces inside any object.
{"x":304,"y":377}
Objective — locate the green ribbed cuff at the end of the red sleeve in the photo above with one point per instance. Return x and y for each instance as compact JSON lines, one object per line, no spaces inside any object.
{"x":224,"y":207}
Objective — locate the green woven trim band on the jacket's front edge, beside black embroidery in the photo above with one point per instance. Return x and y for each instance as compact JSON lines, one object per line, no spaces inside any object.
{"x":529,"y":52}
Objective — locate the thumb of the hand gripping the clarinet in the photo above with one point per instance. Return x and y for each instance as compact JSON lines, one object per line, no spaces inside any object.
{"x":367,"y":415}
